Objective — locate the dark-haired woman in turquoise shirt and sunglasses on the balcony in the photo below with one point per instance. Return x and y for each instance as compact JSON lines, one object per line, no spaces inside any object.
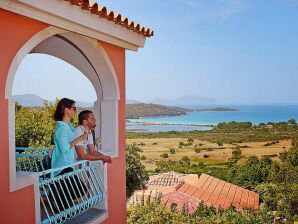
{"x":64,"y":155}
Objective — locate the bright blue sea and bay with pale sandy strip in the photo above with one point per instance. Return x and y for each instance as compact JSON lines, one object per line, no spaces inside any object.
{"x":252,"y":113}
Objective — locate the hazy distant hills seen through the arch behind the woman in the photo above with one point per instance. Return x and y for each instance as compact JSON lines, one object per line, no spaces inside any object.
{"x":32,"y":100}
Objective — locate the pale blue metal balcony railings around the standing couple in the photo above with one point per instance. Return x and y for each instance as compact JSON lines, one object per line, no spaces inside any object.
{"x":76,"y":196}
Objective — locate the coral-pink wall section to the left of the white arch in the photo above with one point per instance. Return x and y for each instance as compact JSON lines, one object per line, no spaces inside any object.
{"x":18,"y":206}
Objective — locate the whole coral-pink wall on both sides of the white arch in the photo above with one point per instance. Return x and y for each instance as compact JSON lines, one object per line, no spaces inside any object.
{"x":18,"y":206}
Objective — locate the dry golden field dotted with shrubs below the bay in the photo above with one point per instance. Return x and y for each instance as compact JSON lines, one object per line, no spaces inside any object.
{"x":153,"y":148}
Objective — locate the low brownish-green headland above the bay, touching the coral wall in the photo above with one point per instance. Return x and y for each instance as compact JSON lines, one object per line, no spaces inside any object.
{"x":152,"y":110}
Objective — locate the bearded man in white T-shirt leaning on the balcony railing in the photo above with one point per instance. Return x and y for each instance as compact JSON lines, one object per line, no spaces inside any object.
{"x":85,"y":149}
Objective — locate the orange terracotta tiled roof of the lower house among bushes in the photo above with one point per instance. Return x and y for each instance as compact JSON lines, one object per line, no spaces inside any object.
{"x":192,"y":190}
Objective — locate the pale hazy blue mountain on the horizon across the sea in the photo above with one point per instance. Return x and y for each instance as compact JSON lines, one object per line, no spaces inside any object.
{"x":184,"y":101}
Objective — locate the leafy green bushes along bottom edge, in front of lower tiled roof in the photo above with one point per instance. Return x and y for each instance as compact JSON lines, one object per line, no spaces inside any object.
{"x":154,"y":213}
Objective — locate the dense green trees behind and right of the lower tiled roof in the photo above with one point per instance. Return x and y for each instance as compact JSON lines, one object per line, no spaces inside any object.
{"x":276,"y":181}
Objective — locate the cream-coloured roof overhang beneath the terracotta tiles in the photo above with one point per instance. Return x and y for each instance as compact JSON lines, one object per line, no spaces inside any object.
{"x":71,"y":17}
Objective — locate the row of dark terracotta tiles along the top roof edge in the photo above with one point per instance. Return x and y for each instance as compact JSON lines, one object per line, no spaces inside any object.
{"x":118,"y":19}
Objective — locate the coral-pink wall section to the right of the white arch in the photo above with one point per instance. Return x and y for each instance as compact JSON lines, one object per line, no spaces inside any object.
{"x":117,"y":171}
